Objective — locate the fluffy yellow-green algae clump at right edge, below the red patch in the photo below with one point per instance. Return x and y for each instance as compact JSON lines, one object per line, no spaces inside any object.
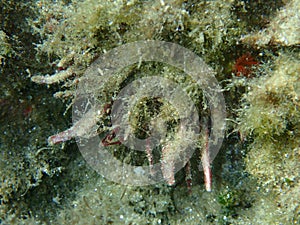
{"x":271,"y":115}
